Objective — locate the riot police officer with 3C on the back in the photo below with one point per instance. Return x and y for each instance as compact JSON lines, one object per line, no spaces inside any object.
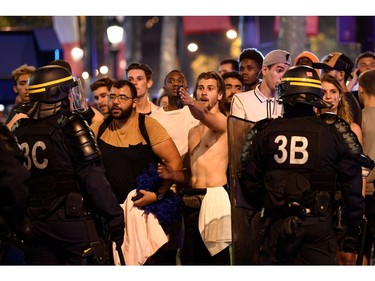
{"x":67,"y":186}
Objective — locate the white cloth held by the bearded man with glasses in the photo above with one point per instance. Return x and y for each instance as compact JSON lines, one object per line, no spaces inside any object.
{"x":143,"y":234}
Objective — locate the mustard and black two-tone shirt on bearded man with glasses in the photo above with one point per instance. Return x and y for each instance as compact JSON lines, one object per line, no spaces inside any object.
{"x":126,"y":154}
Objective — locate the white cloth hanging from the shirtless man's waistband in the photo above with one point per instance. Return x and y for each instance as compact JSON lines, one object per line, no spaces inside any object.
{"x":215,"y":220}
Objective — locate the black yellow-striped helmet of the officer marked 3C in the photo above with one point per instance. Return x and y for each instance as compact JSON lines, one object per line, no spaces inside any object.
{"x":50,"y":84}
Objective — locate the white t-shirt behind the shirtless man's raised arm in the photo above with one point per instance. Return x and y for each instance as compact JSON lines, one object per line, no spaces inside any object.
{"x":177,"y":123}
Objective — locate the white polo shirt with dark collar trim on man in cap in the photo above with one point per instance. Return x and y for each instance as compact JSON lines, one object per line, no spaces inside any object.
{"x":254,"y":106}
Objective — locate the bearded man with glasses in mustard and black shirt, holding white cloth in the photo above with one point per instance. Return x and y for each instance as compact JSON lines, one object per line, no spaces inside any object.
{"x":130,"y":143}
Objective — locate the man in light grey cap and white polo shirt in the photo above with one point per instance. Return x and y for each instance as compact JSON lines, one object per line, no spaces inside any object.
{"x":262,"y":102}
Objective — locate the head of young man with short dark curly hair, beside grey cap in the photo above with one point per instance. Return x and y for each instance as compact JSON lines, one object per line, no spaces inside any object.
{"x":250,"y":67}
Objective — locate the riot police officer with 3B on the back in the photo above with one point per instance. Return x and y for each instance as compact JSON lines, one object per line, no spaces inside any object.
{"x":292,"y":167}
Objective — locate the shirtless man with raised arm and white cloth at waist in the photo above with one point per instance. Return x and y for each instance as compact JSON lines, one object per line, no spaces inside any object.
{"x":207,"y":203}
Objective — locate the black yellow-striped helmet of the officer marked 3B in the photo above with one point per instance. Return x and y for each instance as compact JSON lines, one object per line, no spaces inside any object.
{"x":301,"y":84}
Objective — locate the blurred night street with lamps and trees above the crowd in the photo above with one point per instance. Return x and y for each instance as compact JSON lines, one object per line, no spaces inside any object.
{"x":98,"y":46}
